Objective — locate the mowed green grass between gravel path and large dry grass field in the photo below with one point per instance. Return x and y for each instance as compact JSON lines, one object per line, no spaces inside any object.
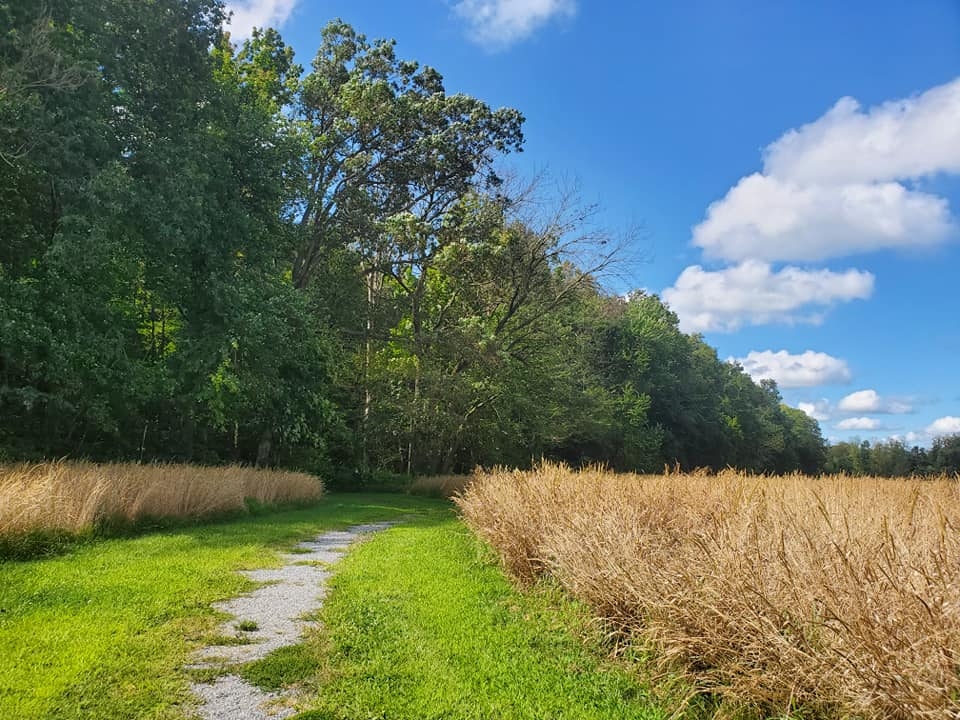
{"x":420,"y":623}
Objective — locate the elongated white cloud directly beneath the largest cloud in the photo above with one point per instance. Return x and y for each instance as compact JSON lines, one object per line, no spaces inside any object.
{"x":752,"y":293}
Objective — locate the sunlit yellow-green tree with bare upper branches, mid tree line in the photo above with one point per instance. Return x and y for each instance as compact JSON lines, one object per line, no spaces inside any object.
{"x":485,"y":345}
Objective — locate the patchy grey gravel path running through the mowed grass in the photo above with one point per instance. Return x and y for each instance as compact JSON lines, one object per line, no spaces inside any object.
{"x":276,"y":610}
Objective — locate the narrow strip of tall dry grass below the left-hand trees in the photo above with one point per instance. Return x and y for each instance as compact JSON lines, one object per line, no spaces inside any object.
{"x":74,"y":496}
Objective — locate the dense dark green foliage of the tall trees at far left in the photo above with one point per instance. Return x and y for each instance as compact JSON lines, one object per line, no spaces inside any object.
{"x":148,"y":307}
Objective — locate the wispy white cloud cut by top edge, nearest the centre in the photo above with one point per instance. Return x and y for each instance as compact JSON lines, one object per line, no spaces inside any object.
{"x":498,"y":23}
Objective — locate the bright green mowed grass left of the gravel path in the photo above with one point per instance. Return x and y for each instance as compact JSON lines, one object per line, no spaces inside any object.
{"x":104,"y":631}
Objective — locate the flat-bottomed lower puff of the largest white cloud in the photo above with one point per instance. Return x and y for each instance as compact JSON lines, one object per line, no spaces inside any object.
{"x":768,"y":218}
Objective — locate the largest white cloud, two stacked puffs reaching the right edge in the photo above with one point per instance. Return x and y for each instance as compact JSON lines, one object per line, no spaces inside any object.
{"x":840,"y":185}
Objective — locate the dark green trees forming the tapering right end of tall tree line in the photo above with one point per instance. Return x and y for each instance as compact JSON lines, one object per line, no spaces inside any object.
{"x":676,"y":403}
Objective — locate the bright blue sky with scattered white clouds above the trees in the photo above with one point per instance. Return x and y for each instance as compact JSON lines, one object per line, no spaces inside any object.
{"x":793,"y":169}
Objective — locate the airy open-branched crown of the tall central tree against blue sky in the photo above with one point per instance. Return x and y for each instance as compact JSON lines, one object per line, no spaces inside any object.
{"x":386,"y":140}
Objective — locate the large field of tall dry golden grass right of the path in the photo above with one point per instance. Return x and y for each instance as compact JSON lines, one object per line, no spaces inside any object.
{"x":834,"y":596}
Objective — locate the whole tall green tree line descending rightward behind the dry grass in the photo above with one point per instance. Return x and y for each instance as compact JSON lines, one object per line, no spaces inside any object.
{"x":213,"y":254}
